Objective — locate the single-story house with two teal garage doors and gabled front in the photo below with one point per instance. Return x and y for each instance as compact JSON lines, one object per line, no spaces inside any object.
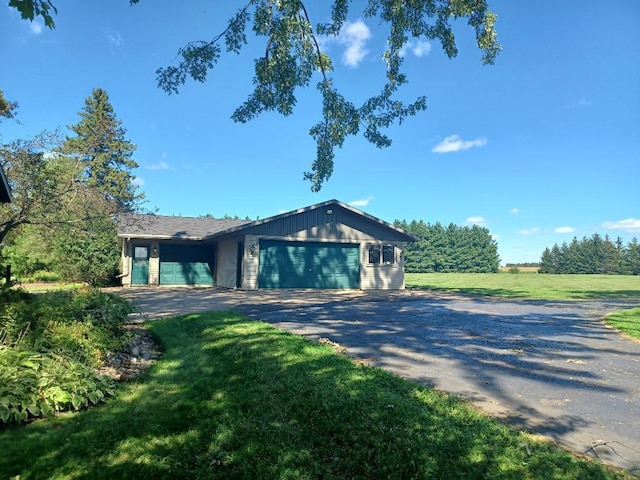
{"x":328,"y":245}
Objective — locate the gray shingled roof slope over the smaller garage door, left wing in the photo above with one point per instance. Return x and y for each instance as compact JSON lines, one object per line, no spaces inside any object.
{"x":158,"y":226}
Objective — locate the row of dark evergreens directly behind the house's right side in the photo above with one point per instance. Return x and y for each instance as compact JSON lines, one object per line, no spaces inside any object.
{"x":448,"y":250}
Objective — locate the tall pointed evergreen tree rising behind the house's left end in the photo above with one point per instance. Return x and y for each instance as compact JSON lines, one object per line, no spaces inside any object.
{"x":103,"y":153}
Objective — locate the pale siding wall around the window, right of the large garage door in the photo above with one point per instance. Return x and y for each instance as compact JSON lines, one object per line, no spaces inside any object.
{"x":381,"y":277}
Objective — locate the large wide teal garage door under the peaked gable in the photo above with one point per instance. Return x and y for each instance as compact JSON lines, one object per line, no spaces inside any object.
{"x":308,"y":265}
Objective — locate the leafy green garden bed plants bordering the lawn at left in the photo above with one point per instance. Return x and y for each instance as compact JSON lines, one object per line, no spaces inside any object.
{"x":50,"y":347}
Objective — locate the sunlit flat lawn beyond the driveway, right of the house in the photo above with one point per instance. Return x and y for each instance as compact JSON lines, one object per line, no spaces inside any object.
{"x":539,"y":286}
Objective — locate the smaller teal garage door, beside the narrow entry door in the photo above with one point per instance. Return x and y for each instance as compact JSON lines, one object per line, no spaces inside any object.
{"x":186,"y":264}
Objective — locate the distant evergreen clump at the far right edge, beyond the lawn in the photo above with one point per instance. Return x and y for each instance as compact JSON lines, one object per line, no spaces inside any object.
{"x":593,"y":255}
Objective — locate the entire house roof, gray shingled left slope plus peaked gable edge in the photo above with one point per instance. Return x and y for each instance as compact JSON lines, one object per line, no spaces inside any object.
{"x":163,"y":227}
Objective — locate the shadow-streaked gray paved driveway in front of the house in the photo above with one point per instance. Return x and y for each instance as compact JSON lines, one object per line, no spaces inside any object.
{"x":551,"y":368}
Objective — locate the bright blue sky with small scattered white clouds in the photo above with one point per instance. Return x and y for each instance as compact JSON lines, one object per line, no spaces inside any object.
{"x":539,"y":148}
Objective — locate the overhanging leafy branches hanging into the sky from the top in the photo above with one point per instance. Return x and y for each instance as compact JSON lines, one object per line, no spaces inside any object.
{"x":293,"y":58}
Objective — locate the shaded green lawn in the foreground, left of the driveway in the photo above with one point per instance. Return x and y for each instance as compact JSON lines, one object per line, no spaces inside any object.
{"x":236,"y":398}
